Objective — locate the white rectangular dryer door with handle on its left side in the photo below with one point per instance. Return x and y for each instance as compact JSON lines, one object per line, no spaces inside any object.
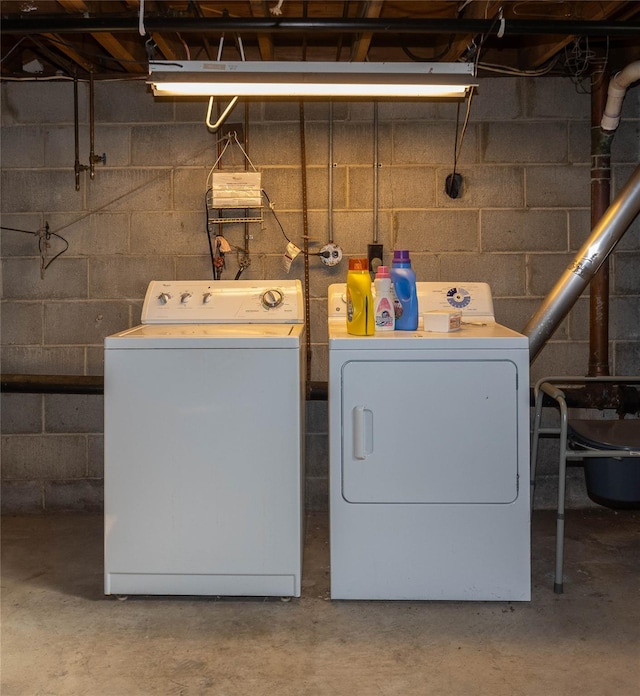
{"x":430,"y":431}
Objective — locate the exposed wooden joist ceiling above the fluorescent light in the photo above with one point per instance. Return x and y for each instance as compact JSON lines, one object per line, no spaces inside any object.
{"x":107,"y":36}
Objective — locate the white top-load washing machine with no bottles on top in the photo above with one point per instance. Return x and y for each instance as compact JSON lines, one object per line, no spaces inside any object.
{"x":204,"y":433}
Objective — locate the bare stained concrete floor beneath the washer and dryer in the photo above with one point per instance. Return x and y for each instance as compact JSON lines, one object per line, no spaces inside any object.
{"x":61,"y":636}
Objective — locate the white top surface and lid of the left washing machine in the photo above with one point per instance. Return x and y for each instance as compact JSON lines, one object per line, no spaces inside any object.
{"x":182,"y":336}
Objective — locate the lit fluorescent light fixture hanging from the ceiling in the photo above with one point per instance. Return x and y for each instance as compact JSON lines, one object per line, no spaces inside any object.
{"x":310,"y":79}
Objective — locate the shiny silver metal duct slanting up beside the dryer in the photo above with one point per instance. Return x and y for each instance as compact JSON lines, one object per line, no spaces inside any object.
{"x":602,"y":241}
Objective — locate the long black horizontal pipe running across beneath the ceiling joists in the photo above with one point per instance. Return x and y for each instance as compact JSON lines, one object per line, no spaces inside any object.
{"x":266,"y":25}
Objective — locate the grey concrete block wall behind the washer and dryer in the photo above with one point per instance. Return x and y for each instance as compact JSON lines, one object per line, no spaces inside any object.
{"x":523,"y":212}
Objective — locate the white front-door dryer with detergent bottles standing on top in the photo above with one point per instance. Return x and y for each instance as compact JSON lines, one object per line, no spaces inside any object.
{"x":429,"y":455}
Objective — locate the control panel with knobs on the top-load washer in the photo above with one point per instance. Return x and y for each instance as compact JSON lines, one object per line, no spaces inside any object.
{"x":223,"y":302}
